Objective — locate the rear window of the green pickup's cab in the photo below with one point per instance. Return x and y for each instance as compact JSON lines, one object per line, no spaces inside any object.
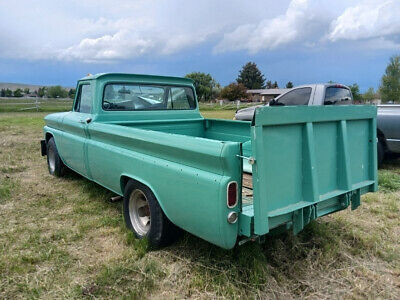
{"x":127,"y":96}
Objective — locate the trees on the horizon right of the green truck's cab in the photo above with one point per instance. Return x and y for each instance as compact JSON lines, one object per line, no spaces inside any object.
{"x":250,"y":78}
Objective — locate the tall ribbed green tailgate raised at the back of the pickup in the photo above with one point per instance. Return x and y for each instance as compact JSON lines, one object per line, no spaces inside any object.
{"x":309,"y":162}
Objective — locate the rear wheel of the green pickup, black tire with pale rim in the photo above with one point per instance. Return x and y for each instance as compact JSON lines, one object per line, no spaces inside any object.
{"x":144,"y":216}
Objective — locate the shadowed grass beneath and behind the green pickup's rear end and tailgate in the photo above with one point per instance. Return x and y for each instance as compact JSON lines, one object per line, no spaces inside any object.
{"x":279,"y":260}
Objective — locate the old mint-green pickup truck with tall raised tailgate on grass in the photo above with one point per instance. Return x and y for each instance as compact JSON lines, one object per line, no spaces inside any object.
{"x":143,"y":138}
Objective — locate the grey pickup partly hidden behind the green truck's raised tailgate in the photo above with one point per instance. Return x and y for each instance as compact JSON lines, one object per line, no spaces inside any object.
{"x":388,"y":120}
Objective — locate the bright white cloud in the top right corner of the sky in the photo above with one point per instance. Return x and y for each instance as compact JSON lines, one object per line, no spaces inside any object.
{"x":368,"y":20}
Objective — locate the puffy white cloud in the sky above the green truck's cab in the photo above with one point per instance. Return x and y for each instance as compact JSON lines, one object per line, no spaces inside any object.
{"x":129,"y":40}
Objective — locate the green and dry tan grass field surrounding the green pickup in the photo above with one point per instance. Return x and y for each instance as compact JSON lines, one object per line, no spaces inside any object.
{"x":62,"y":238}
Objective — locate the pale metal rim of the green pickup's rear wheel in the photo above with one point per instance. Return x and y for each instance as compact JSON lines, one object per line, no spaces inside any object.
{"x":139,"y":212}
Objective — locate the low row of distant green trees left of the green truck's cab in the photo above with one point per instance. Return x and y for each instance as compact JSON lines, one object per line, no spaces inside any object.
{"x":48,"y":92}
